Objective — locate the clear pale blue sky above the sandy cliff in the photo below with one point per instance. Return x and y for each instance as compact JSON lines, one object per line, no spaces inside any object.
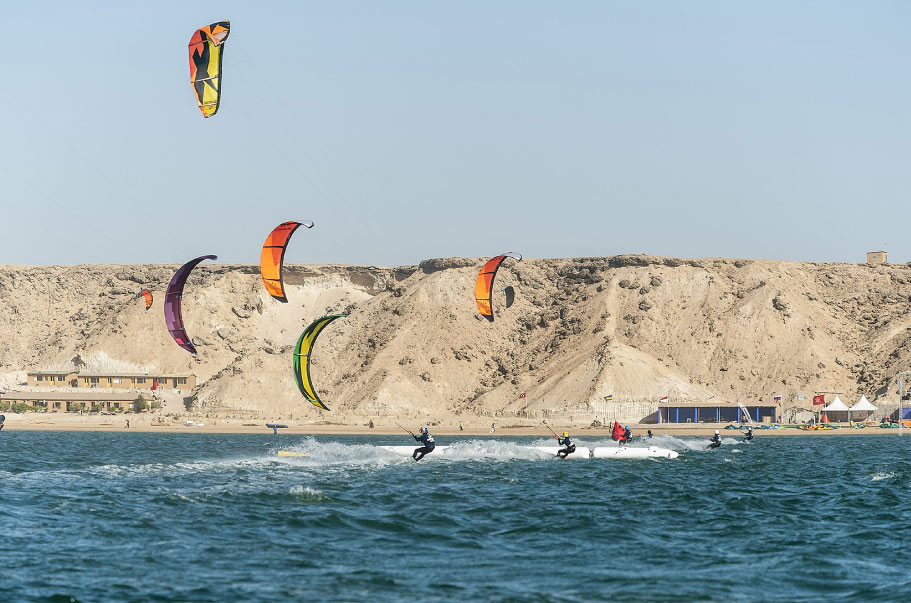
{"x":409,"y":130}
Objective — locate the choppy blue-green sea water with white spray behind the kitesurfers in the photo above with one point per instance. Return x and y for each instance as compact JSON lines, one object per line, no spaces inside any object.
{"x":176,"y":517}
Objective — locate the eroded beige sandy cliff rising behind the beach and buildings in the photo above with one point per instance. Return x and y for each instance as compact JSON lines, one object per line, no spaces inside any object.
{"x":637,"y":327}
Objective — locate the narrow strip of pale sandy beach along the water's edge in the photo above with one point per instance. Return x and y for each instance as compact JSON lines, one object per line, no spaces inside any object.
{"x":144,"y":424}
